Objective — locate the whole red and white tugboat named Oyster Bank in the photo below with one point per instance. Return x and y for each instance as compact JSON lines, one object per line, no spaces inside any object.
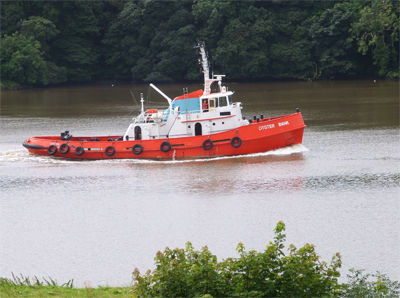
{"x":200,"y":124}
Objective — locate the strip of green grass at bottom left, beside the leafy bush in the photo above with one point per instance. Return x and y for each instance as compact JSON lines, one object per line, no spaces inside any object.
{"x":20,"y":286}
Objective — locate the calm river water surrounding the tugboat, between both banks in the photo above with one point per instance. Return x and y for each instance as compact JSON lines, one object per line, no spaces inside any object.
{"x":96,"y":221}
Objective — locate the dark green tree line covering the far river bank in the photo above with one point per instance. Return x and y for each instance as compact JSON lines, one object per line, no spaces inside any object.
{"x":45,"y":42}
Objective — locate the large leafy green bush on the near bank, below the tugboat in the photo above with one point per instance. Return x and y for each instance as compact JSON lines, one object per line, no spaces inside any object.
{"x":271,"y":273}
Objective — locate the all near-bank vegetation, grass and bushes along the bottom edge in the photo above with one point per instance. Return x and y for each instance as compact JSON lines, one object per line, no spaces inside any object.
{"x":191,"y":273}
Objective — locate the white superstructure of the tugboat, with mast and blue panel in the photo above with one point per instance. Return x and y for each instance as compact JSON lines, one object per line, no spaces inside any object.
{"x":197,"y":113}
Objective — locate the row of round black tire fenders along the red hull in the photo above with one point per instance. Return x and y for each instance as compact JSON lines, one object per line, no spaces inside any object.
{"x":137,"y":149}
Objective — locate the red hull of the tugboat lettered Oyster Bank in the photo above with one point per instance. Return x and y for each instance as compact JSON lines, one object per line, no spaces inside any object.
{"x":262,"y":136}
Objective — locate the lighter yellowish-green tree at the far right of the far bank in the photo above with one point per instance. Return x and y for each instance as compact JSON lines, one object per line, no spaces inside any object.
{"x":377,"y":31}
